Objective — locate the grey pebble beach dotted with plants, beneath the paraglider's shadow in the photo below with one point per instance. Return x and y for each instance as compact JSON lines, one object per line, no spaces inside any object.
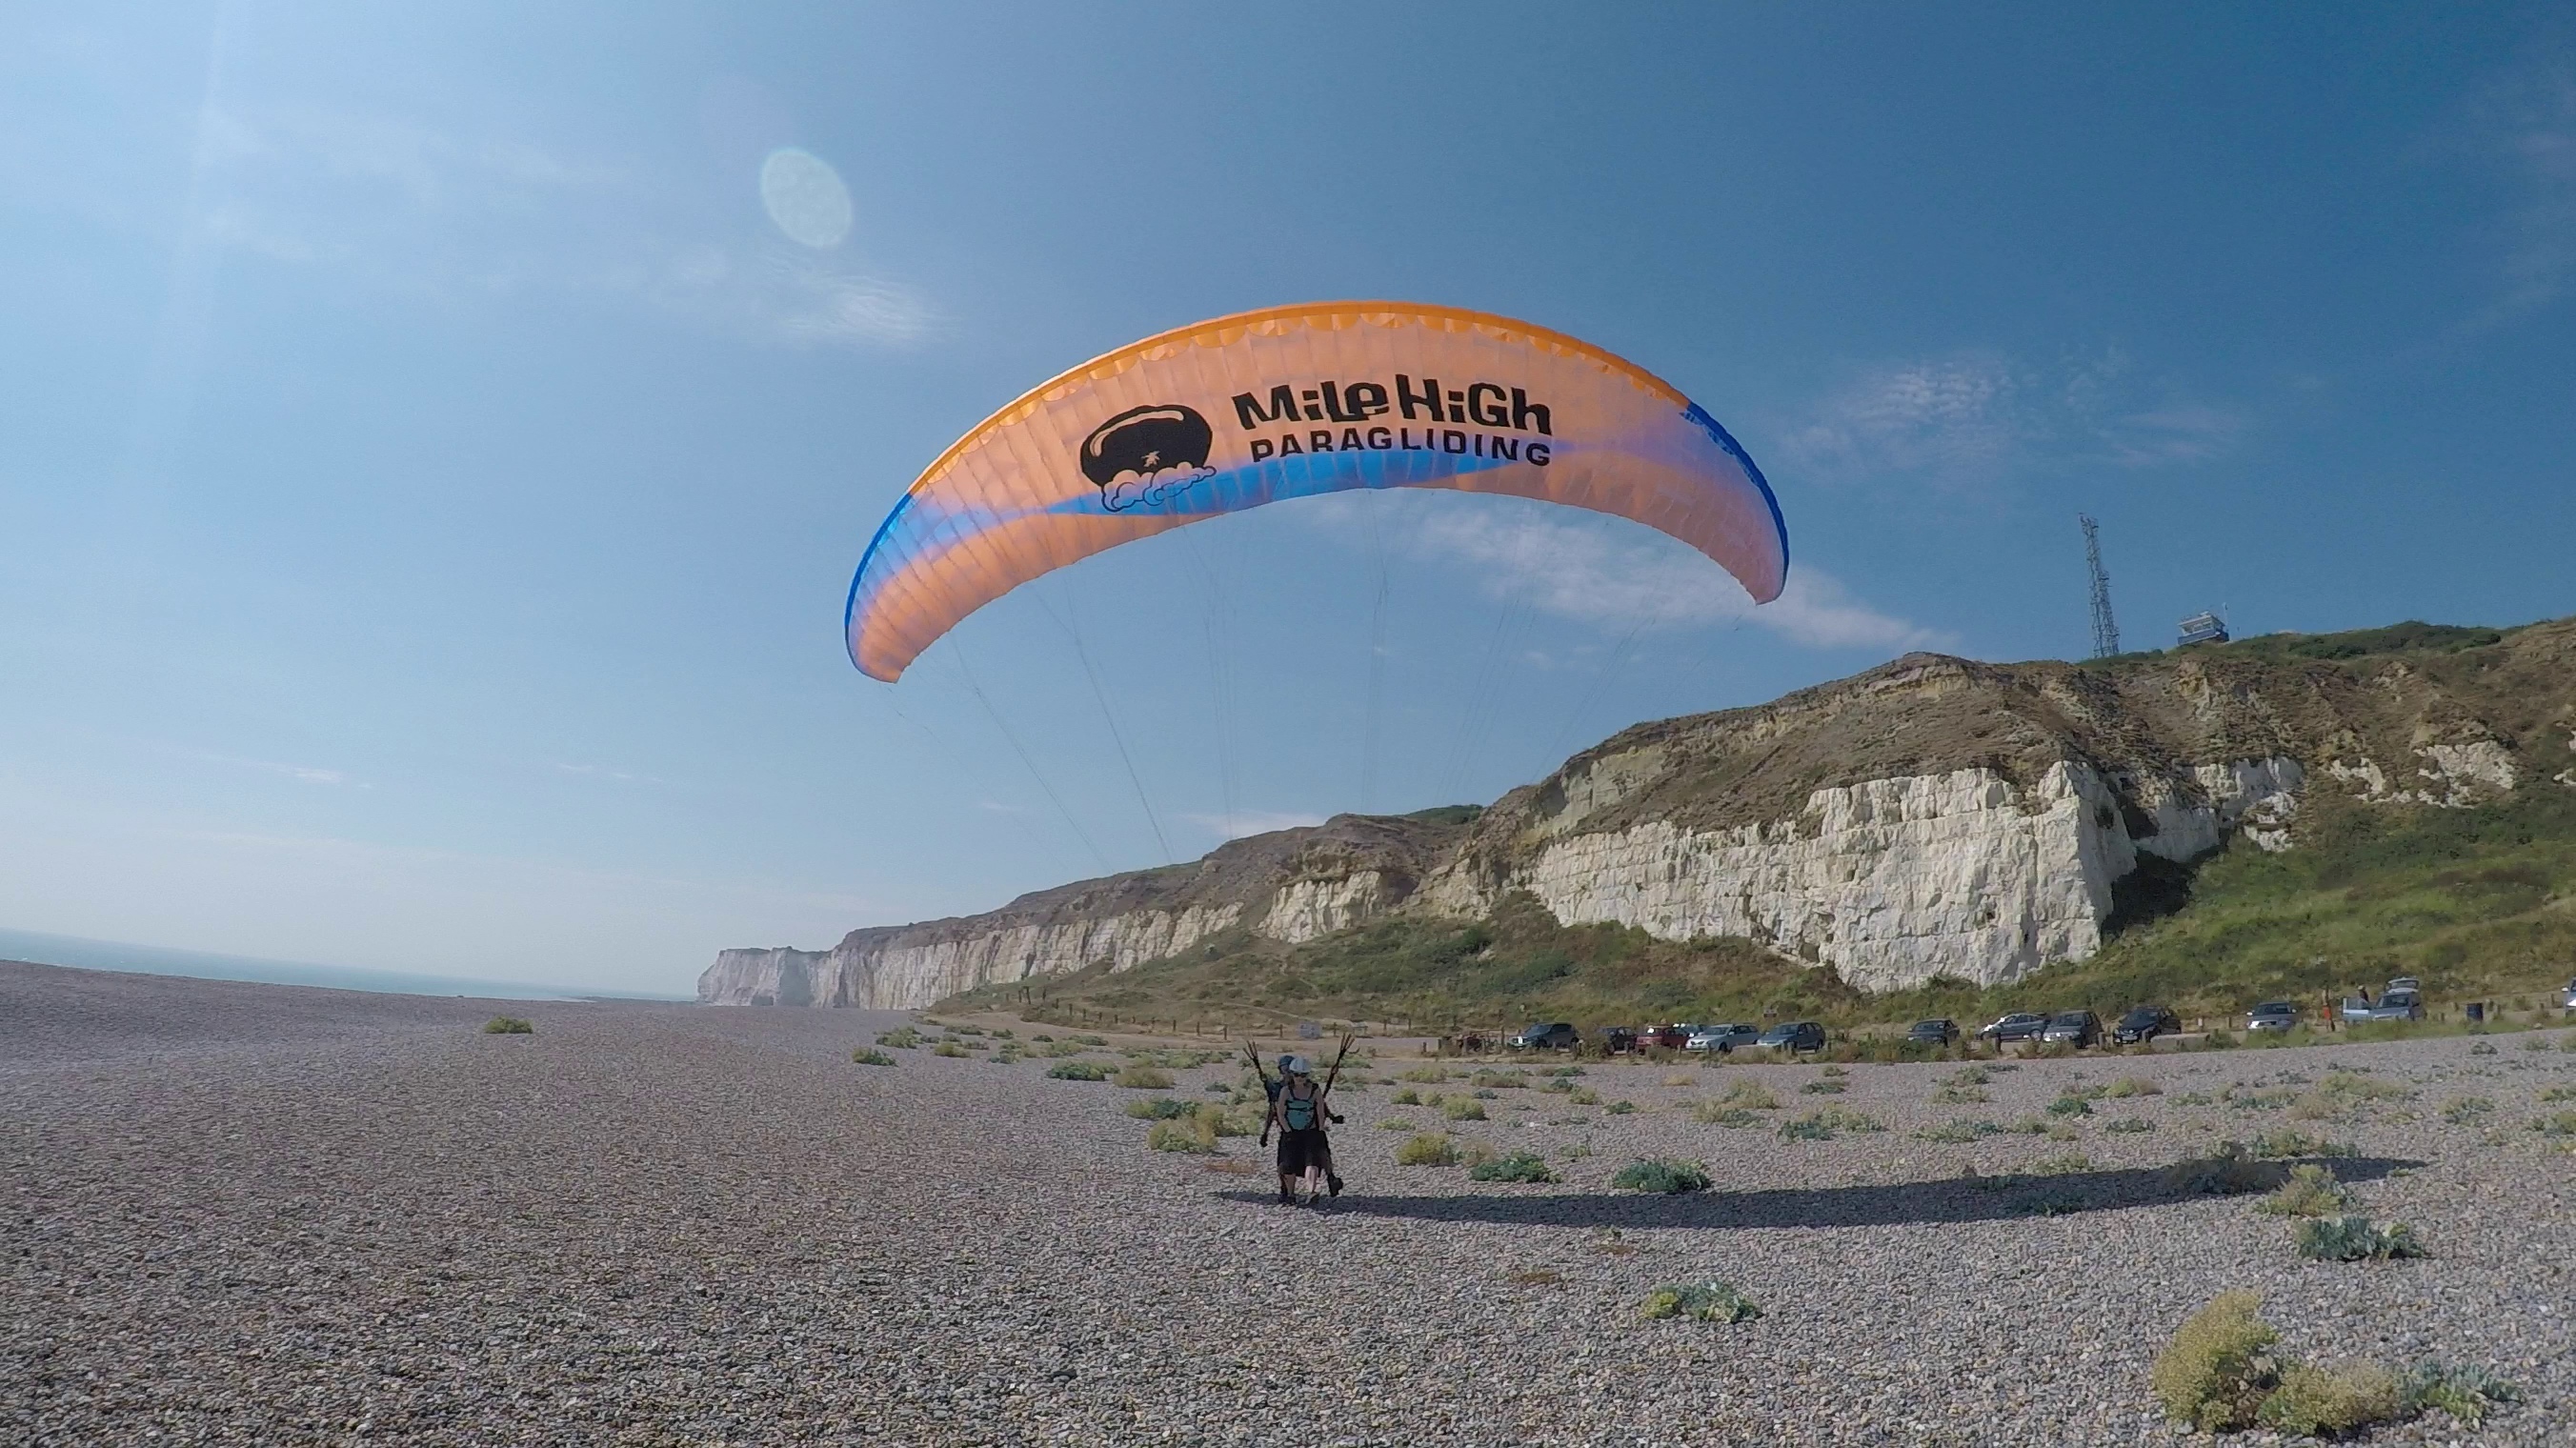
{"x":285,"y":1215}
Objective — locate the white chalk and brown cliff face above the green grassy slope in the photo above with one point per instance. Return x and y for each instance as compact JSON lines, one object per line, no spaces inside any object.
{"x":1931,"y":818}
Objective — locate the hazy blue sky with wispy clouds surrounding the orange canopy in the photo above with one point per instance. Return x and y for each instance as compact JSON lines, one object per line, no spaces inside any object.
{"x":429,"y":470}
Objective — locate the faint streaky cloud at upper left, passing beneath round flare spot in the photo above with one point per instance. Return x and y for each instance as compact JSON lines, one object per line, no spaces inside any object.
{"x":413,"y":210}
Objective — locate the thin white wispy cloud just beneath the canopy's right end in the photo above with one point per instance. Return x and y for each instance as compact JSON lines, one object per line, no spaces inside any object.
{"x":1624,"y":578}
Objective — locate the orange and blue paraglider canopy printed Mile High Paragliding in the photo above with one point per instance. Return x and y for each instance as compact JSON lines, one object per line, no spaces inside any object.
{"x":1294,"y":403}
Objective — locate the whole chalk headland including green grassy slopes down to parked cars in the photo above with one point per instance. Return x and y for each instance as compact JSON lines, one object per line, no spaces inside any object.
{"x":1933,"y":826}
